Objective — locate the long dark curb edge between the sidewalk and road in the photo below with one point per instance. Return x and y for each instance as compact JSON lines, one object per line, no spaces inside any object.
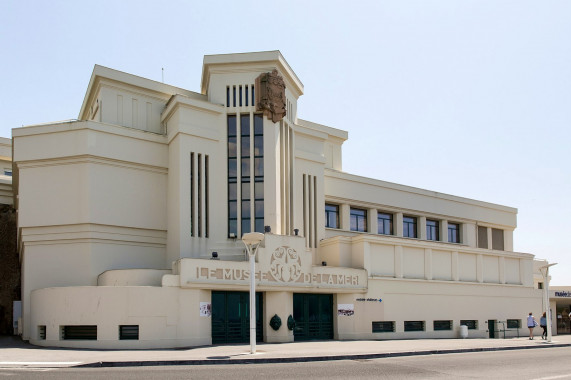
{"x":306,"y":359}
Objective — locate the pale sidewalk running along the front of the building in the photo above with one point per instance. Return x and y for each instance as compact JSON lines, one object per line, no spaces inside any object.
{"x":17,"y":354}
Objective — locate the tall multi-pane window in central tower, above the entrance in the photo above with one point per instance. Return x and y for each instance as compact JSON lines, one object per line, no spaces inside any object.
{"x":245,"y":174}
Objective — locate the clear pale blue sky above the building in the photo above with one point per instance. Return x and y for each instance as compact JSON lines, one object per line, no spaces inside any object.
{"x":471,"y":98}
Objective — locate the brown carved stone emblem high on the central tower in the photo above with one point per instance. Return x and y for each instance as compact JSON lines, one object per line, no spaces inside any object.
{"x":270,"y":95}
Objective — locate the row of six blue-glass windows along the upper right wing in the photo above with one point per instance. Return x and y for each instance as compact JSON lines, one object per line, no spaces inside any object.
{"x":358,"y":222}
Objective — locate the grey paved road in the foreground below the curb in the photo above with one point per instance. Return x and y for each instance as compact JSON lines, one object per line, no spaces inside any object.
{"x":550,"y":364}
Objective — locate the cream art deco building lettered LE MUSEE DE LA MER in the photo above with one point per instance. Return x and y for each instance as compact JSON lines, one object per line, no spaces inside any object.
{"x":130,"y":221}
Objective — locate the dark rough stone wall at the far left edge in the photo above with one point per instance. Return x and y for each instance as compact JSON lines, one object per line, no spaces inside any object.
{"x":9,"y":267}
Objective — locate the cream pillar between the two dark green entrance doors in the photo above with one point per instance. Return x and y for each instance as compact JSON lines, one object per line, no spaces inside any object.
{"x":280,"y":304}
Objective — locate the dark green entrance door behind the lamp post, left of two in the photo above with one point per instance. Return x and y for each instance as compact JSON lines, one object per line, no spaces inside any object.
{"x":231,"y":317}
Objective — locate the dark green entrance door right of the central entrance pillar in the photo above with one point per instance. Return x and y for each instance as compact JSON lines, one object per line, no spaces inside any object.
{"x":313,"y":314}
